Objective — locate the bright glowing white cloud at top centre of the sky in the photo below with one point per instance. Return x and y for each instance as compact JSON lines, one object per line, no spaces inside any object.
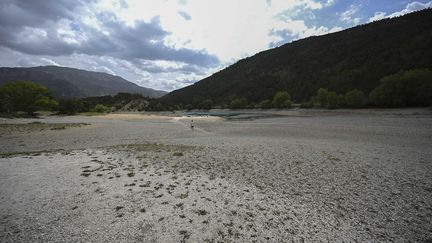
{"x":229,"y":29}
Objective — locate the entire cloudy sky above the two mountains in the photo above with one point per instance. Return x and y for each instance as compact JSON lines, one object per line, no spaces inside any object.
{"x":169,"y":44}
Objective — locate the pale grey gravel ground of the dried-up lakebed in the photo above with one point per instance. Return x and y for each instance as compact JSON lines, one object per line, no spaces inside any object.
{"x":305,"y":176}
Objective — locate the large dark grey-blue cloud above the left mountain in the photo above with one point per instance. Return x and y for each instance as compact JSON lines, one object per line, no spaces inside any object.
{"x":32,"y":27}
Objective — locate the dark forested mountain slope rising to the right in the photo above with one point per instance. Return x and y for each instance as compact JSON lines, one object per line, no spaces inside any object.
{"x":355,"y":58}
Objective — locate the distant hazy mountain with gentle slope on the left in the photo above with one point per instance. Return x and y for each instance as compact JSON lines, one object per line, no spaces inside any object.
{"x":64,"y":82}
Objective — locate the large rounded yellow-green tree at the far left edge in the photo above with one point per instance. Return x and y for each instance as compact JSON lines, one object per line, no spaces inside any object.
{"x":26,"y":96}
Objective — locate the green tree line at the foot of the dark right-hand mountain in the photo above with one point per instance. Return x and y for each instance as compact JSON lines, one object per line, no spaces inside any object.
{"x":410,"y":88}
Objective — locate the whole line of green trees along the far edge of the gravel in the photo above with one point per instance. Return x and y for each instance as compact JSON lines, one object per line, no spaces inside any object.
{"x":411,"y":88}
